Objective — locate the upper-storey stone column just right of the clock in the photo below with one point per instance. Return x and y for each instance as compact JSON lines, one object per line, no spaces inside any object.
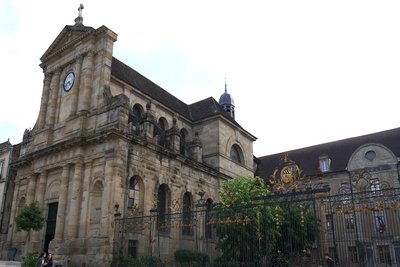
{"x":85,"y":94}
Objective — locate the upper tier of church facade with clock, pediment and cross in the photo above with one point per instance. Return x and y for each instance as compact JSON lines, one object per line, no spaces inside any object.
{"x":77,"y":68}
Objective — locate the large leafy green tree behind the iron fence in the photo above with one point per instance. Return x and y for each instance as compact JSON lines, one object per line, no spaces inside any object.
{"x":249,"y":230}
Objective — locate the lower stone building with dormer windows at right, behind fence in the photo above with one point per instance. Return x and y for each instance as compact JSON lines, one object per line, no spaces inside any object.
{"x":359,"y":215}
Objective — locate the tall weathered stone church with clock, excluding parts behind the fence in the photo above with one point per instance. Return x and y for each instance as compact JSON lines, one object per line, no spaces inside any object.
{"x":108,"y":140}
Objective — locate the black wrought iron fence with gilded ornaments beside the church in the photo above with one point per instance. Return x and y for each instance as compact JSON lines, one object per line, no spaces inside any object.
{"x":292,"y":229}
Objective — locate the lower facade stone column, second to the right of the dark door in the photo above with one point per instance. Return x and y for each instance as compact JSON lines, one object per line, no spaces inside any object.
{"x":75,"y":201}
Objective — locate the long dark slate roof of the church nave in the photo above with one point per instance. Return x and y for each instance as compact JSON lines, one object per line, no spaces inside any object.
{"x":197,"y":111}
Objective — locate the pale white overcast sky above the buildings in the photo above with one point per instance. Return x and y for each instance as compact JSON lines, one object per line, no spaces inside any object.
{"x":301,"y":72}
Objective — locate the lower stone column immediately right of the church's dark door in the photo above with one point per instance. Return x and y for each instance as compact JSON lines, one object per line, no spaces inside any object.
{"x":62,"y":204}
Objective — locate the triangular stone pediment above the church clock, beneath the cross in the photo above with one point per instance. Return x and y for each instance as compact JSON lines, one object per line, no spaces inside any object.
{"x":68,"y":36}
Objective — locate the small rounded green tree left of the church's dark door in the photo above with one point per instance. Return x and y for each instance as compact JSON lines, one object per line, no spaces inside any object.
{"x":30,"y":218}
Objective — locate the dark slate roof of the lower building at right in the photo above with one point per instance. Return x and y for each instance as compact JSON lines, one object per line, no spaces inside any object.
{"x":338,"y":151}
